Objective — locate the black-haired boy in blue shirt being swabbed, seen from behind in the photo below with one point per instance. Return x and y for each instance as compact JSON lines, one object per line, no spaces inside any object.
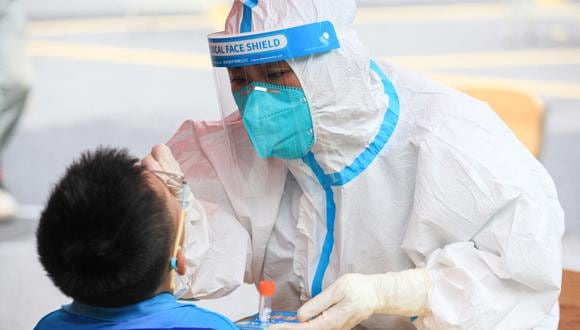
{"x":109,"y":233}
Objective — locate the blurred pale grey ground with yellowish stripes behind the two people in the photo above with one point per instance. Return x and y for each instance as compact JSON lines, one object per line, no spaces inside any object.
{"x":128,"y":72}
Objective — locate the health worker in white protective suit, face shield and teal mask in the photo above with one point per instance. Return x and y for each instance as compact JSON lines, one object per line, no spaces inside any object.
{"x":371,"y":196}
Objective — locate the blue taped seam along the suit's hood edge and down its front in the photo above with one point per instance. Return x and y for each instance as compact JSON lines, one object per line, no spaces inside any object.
{"x":351,"y":171}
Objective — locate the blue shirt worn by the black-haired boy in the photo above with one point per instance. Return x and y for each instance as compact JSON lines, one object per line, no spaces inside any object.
{"x":160,"y":312}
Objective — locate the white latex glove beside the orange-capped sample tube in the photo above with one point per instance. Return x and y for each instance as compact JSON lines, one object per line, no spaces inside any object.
{"x":353,"y":298}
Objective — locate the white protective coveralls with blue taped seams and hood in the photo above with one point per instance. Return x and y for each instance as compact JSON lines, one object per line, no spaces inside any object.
{"x":404,"y":173}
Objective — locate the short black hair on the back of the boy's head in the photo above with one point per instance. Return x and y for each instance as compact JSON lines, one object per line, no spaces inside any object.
{"x":105,"y":235}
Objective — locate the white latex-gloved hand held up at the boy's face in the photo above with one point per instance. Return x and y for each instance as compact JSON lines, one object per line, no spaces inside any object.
{"x":161,"y":159}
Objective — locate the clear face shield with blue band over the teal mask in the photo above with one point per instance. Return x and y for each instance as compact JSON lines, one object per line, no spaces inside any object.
{"x":264,"y":110}
